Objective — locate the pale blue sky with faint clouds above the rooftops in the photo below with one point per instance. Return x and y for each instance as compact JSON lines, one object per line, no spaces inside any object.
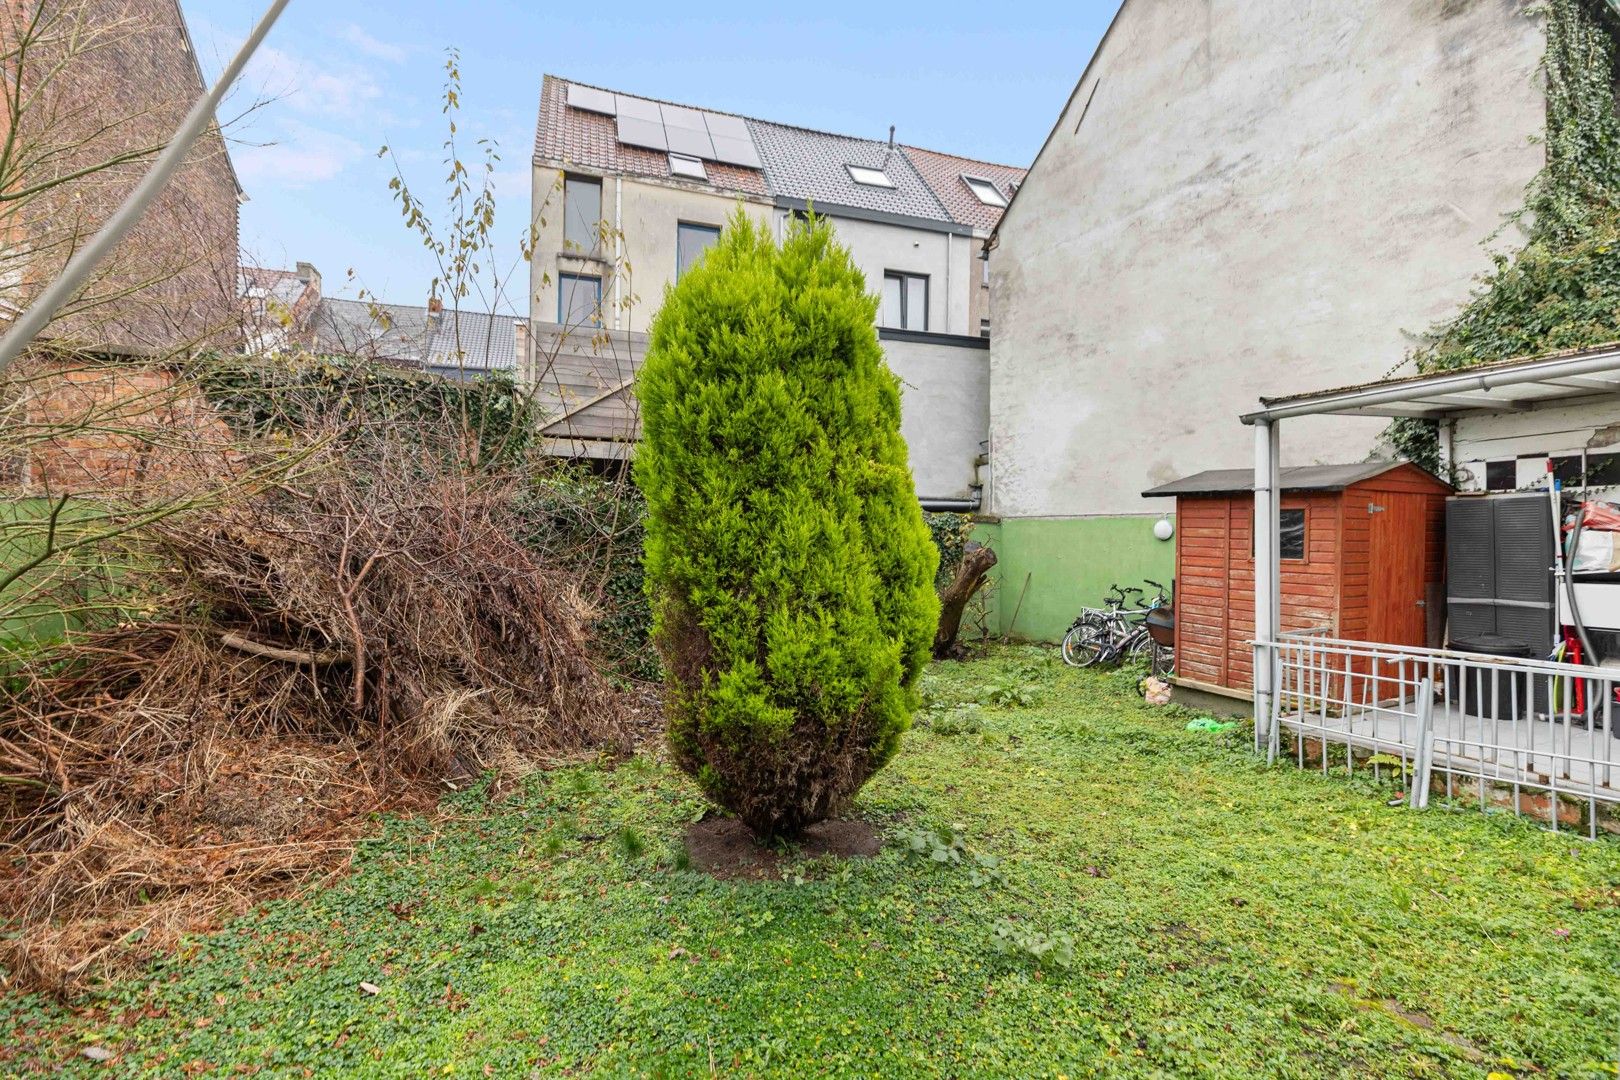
{"x":346,"y":79}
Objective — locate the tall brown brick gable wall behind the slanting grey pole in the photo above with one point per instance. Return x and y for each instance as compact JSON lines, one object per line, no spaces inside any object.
{"x":122,"y":77}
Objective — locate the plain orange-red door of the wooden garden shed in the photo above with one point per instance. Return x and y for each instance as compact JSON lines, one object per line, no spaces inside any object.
{"x":1396,"y":551}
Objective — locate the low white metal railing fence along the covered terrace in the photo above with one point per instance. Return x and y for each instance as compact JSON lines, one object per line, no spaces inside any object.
{"x":1535,"y":736}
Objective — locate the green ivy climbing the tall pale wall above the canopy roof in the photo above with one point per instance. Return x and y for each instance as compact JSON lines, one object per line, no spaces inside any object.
{"x":1562,"y":289}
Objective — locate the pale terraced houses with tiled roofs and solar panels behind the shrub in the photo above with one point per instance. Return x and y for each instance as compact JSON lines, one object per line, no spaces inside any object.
{"x":631,"y":190}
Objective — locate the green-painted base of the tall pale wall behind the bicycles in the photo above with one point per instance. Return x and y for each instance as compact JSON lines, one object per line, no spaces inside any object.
{"x":1070,"y":564}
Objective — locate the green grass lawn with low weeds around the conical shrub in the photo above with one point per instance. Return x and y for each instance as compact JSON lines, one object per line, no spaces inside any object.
{"x":1226,"y":921}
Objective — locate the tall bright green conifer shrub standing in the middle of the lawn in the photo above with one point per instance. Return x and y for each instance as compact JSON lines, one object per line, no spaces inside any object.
{"x":788,"y":563}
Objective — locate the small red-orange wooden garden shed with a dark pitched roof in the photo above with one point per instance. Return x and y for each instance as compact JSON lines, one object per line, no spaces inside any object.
{"x":1362,"y":556}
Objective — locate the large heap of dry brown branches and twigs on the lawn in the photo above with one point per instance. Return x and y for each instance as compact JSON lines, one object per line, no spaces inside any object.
{"x":347,"y":639}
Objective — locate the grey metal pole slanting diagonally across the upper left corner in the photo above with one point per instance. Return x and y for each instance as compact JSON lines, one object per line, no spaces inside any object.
{"x":82,"y":265}
